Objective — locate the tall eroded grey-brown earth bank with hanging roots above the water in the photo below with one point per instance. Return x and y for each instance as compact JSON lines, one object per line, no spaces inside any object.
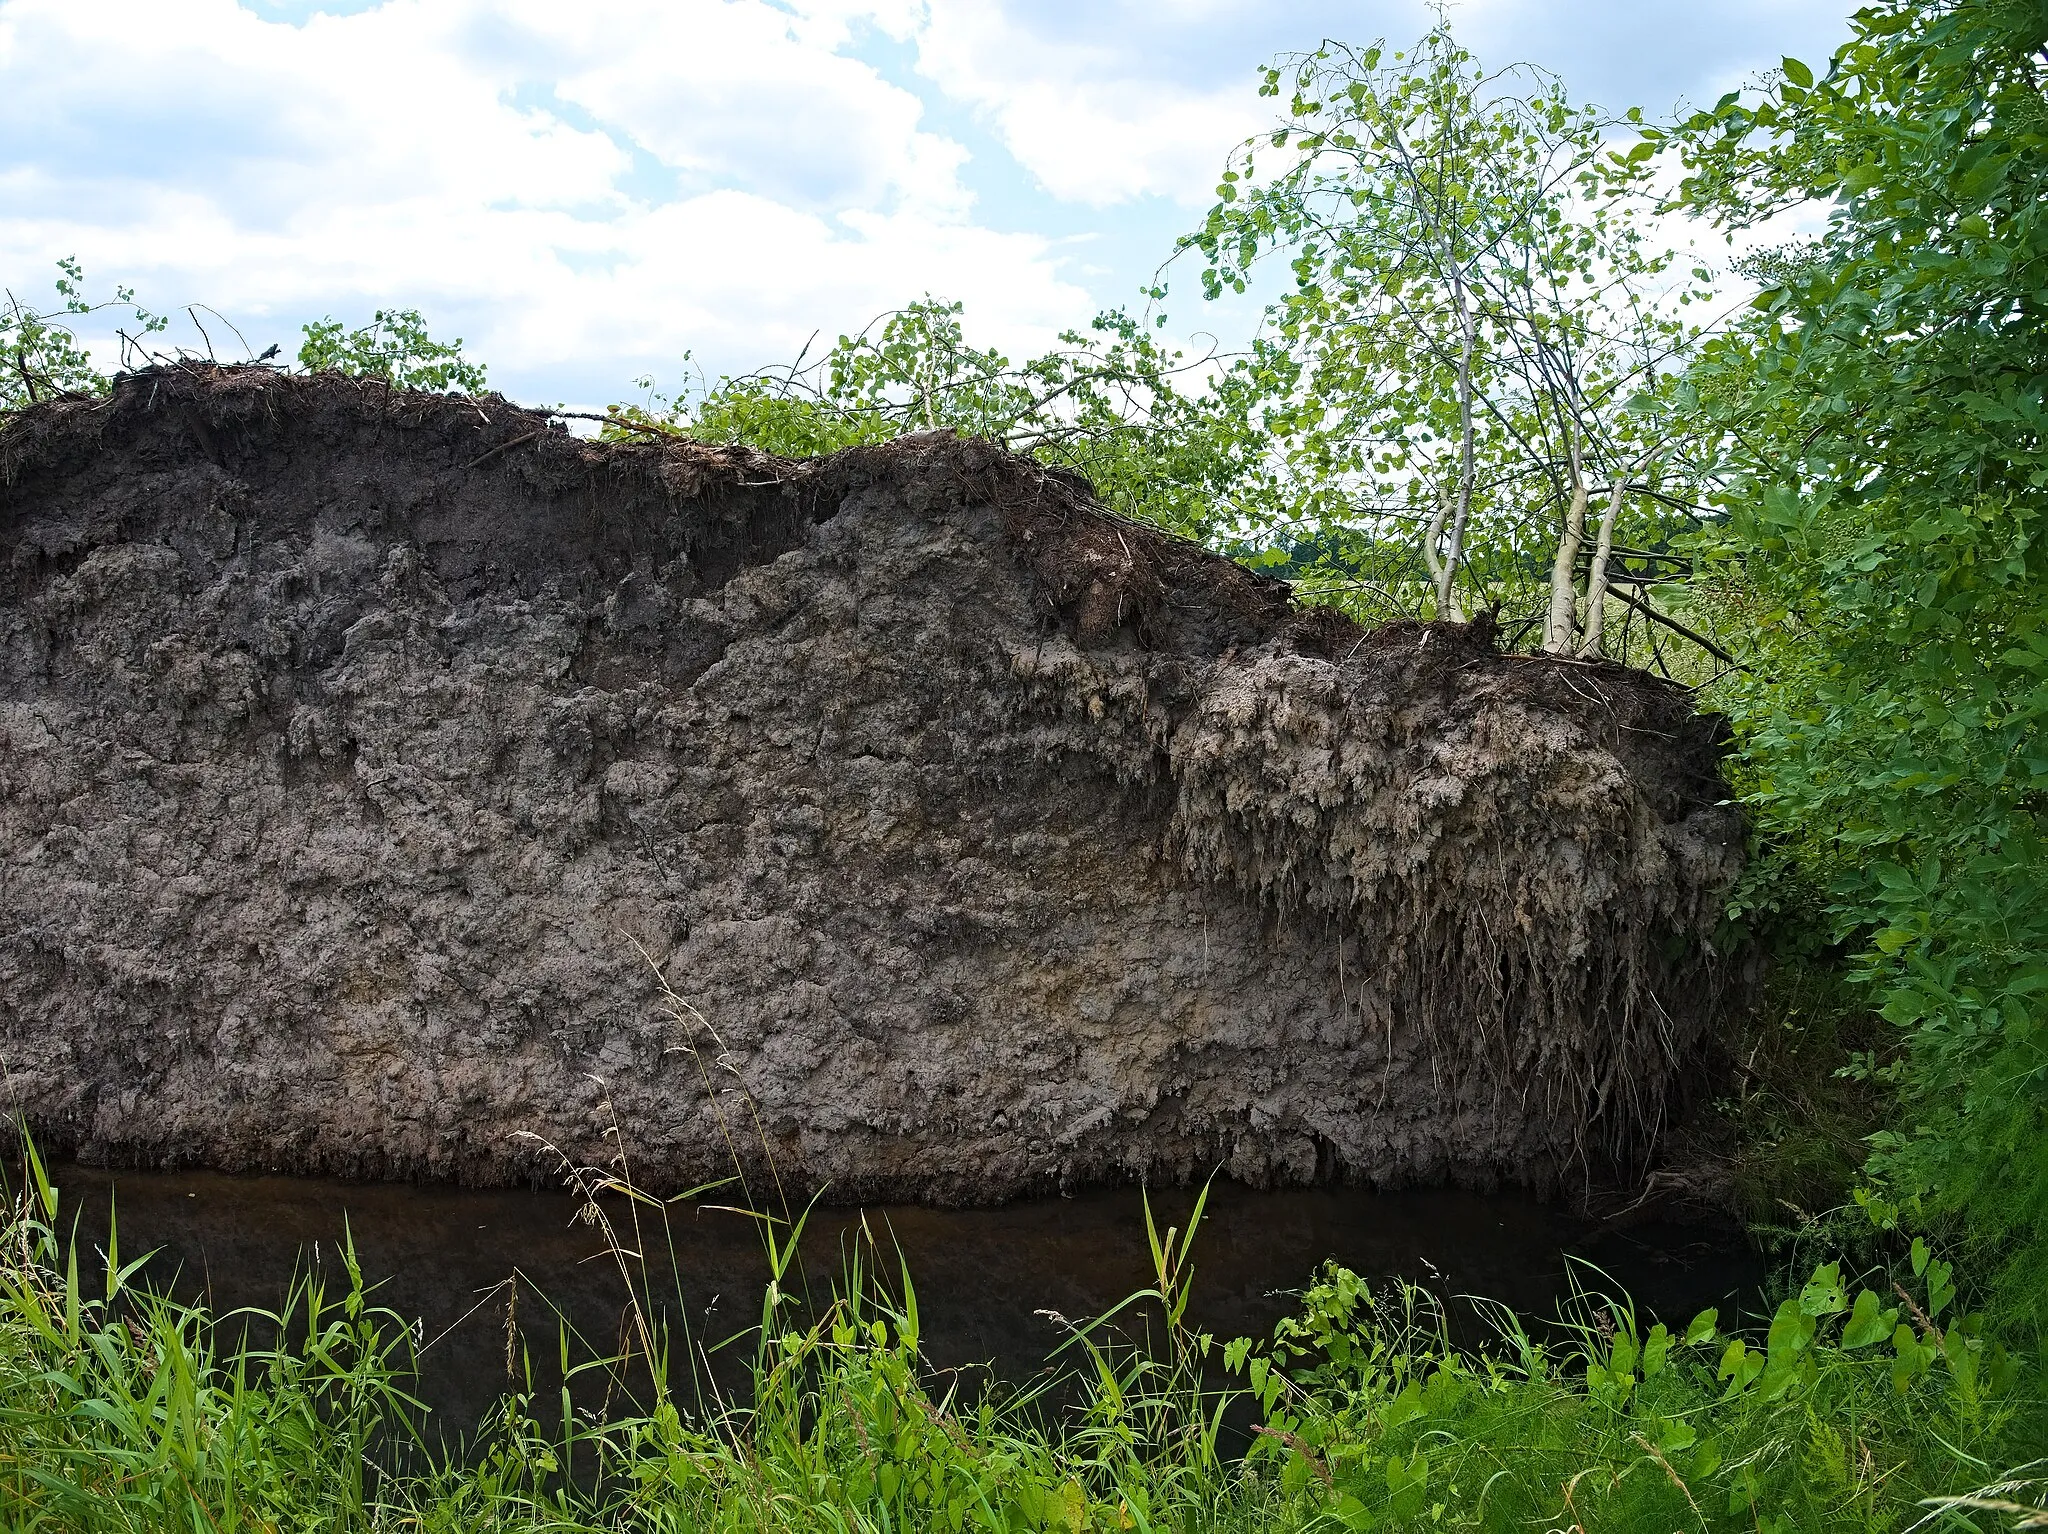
{"x":368,"y":761}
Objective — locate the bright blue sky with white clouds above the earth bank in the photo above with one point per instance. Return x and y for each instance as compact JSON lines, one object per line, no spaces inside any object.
{"x":595,"y":191}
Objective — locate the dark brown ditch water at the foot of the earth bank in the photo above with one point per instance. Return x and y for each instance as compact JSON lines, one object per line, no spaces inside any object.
{"x":984,"y":1277}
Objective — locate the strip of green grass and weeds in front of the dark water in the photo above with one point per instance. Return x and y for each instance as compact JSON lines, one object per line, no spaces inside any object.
{"x":126,"y":1412}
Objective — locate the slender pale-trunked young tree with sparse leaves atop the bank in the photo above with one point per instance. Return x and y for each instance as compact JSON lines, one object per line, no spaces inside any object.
{"x":1476,"y":312}
